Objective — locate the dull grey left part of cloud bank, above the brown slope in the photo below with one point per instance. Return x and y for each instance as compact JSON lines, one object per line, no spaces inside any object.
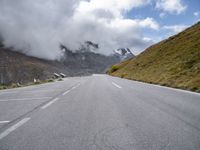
{"x":33,"y":27}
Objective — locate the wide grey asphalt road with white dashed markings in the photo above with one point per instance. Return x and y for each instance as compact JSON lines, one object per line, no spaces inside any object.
{"x":99,"y":112}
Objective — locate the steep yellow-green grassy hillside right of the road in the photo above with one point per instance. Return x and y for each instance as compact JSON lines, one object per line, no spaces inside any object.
{"x":174,"y":62}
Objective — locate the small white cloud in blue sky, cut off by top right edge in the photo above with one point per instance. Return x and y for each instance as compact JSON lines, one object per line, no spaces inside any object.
{"x":171,"y":6}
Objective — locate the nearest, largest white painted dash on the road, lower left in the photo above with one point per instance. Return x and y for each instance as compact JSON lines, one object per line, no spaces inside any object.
{"x":14,"y":127}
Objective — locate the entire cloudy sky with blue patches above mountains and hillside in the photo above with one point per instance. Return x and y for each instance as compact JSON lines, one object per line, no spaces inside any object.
{"x":37,"y":27}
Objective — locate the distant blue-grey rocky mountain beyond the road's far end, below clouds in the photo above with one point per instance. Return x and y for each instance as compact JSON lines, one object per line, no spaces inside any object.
{"x":85,"y":62}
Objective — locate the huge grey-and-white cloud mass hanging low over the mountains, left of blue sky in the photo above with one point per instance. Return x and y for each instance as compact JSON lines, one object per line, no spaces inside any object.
{"x":38,"y":27}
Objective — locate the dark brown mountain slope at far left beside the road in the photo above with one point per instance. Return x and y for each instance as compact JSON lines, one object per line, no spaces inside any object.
{"x":19,"y":68}
